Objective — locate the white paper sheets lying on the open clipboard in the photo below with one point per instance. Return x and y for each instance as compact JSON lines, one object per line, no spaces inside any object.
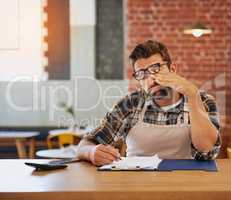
{"x":133,"y":163}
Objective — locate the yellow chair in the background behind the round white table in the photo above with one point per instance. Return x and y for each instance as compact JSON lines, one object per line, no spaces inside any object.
{"x":64,"y":139}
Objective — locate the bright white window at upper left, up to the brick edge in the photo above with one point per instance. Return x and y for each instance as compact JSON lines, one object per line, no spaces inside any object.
{"x":20,"y":39}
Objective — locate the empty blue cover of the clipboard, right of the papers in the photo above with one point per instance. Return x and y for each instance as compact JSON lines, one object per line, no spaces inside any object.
{"x":172,"y":164}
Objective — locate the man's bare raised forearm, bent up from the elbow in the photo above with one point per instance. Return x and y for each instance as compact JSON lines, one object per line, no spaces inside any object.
{"x":203,"y":132}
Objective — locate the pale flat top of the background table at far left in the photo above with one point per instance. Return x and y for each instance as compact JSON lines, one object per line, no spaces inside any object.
{"x":18,"y":134}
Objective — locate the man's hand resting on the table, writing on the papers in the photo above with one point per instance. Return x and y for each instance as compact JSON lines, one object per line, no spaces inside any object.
{"x":103,"y":154}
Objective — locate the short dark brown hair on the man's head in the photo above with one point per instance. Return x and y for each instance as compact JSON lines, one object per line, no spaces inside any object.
{"x":149,"y":48}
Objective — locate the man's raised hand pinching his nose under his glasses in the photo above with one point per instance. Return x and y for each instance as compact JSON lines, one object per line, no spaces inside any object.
{"x":176,"y":82}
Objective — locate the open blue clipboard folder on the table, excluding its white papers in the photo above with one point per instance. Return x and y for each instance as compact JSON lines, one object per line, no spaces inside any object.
{"x":172,"y":165}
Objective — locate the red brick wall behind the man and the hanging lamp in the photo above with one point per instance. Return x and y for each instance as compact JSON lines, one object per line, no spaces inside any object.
{"x":205,"y":60}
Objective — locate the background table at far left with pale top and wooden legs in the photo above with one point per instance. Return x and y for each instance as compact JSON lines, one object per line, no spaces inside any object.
{"x":21,"y":137}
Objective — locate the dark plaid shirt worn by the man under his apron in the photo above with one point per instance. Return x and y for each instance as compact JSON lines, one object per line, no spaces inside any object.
{"x":126,"y":112}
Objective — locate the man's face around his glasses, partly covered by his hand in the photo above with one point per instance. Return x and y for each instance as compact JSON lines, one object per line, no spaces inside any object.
{"x":148,"y":83}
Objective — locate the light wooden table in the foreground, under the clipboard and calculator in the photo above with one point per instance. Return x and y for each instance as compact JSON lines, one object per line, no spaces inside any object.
{"x":82,"y":181}
